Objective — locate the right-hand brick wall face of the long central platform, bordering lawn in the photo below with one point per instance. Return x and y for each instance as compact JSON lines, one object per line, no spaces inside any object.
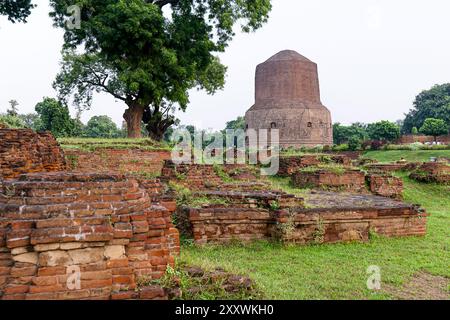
{"x":341,"y":225}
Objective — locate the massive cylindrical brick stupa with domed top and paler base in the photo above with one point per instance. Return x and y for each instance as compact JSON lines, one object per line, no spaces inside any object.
{"x":287,"y":97}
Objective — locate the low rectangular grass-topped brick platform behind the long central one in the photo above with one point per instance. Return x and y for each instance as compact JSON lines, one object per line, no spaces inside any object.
{"x":351,"y":180}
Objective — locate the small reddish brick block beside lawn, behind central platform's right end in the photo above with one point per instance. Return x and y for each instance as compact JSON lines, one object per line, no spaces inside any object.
{"x":385,"y":185}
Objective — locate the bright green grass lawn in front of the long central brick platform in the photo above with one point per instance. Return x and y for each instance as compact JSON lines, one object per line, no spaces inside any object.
{"x":338,"y":271}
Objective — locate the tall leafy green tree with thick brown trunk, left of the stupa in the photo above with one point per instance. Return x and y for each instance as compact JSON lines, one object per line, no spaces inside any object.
{"x":149,"y":57}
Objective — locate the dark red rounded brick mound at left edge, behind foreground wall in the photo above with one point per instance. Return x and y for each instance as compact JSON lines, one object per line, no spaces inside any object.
{"x":25,"y":151}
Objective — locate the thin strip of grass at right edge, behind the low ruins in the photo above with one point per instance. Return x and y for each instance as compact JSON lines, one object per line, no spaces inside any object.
{"x":395,"y":155}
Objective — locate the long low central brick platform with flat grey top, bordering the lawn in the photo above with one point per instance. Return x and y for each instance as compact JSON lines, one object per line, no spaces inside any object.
{"x":328,"y":218}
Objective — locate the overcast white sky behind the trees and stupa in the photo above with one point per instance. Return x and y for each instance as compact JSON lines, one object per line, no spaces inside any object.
{"x":374,"y":57}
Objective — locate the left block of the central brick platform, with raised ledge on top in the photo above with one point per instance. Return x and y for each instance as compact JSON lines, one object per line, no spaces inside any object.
{"x":245,"y":216}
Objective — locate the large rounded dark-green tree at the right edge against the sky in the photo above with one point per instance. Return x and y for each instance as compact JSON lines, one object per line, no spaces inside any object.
{"x":433,"y":103}
